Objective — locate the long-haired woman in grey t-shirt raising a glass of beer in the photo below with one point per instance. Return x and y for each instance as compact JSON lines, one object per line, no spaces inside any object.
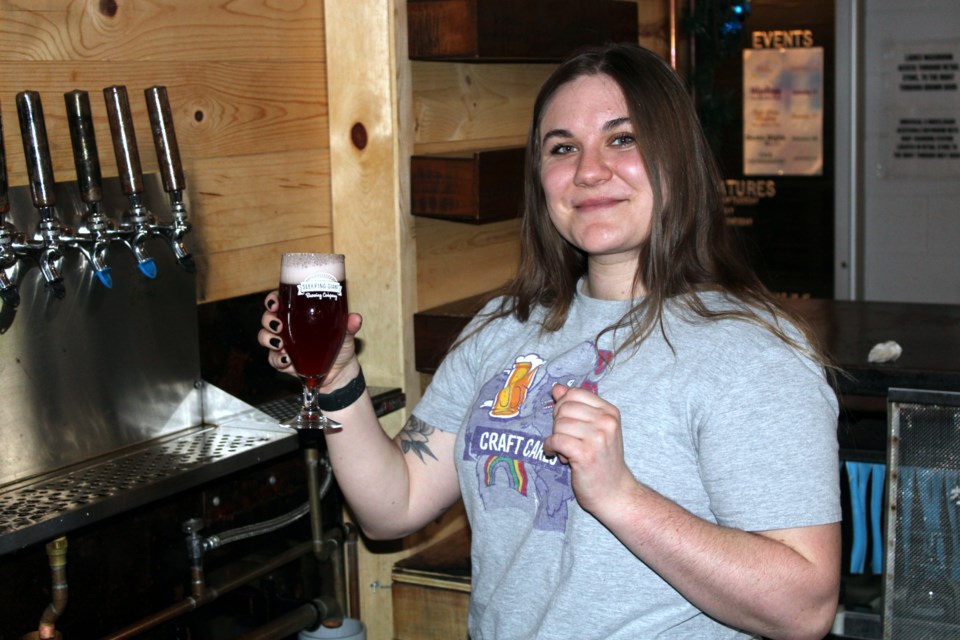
{"x":644,"y":441}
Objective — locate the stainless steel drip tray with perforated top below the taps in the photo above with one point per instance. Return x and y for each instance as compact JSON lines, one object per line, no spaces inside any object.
{"x":42,"y":508}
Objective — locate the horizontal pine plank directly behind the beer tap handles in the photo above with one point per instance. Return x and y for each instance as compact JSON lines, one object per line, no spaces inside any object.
{"x":219,"y":109}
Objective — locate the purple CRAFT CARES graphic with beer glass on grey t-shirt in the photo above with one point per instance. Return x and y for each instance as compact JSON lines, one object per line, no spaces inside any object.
{"x":507,"y":427}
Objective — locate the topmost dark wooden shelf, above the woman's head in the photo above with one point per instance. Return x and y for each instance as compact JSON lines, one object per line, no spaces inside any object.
{"x":507,"y":31}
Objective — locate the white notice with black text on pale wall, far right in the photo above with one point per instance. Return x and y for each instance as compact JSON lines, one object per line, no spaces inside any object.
{"x":922,"y":106}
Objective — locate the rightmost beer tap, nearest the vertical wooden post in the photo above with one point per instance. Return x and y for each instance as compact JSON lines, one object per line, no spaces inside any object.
{"x":171,"y":171}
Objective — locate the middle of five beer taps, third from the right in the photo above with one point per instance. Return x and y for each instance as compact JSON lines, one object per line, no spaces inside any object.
{"x":93,"y":235}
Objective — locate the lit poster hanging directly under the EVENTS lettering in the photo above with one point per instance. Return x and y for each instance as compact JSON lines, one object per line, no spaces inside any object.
{"x":783,"y":112}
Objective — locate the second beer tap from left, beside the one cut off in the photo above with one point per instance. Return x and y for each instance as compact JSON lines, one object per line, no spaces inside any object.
{"x":46,"y":245}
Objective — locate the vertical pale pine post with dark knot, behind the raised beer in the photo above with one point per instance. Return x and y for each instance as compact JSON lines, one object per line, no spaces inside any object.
{"x":369,"y":157}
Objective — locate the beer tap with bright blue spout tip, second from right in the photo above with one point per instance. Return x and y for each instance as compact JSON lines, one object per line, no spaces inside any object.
{"x":137,"y":221}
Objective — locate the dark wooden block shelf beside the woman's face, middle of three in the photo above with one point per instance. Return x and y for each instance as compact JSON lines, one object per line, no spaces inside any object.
{"x":475,"y":187}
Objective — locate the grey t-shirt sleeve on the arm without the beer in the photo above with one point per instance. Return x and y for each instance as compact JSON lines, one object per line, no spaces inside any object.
{"x":767,"y":437}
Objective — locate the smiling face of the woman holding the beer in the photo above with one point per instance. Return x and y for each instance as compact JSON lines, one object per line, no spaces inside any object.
{"x":594,"y":179}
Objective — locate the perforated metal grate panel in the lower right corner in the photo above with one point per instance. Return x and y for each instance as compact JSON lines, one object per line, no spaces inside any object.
{"x":922,"y":573}
